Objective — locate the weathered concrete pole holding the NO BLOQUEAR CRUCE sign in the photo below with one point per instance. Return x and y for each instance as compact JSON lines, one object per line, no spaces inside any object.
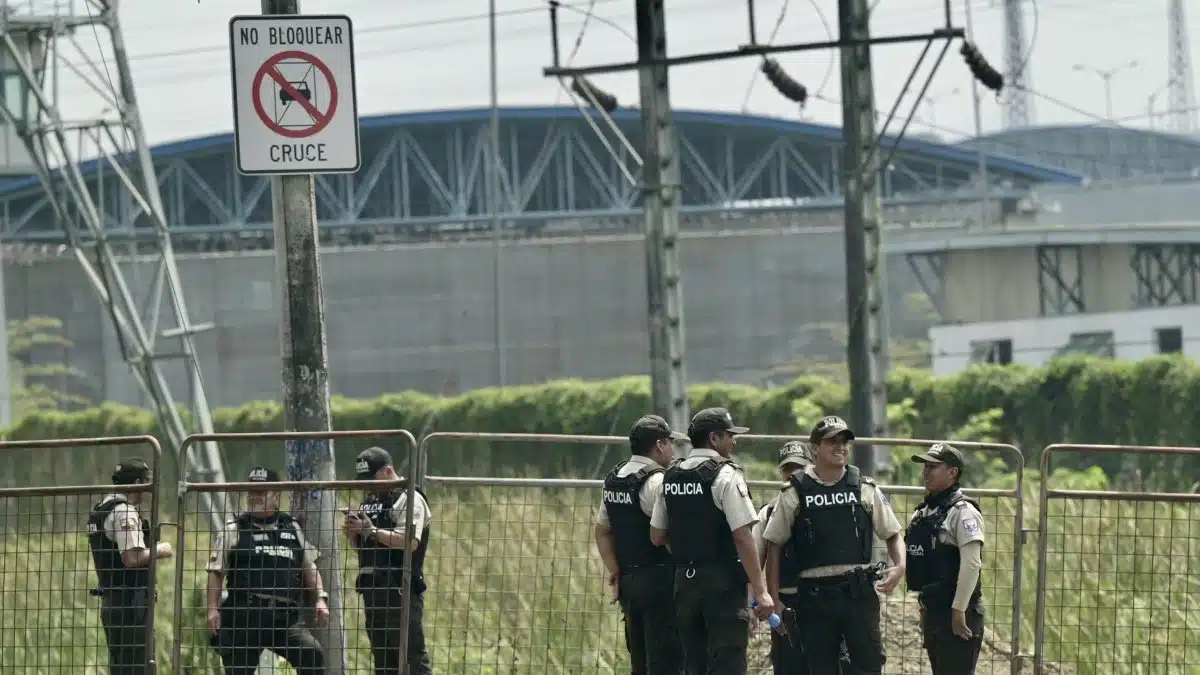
{"x":305,"y":373}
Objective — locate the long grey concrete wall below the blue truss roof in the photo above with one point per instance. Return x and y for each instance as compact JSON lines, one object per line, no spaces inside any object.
{"x":421,"y":316}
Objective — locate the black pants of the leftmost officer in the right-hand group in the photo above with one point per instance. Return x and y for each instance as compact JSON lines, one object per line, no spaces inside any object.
{"x":652,"y":634}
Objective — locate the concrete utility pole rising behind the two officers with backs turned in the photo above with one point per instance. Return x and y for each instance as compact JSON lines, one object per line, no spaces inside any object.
{"x":662,"y":189}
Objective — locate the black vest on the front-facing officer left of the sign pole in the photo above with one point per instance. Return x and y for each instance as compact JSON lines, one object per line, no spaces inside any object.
{"x":267,"y":559}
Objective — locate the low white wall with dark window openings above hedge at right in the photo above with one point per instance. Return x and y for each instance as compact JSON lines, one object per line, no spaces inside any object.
{"x":1036,"y":341}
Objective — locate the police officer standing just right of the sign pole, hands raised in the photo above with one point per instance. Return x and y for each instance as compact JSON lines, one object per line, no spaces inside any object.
{"x":377,"y":531}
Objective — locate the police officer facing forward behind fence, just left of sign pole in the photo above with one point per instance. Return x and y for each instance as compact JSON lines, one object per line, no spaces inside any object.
{"x":267,"y":563}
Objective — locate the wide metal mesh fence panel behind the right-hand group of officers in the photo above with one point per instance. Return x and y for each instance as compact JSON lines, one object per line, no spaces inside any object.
{"x":520,"y":554}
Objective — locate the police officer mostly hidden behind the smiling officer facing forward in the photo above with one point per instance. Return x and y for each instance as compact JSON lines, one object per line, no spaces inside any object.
{"x":787,"y":654}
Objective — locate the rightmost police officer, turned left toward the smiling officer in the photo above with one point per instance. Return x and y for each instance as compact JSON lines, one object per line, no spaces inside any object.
{"x":945,"y":541}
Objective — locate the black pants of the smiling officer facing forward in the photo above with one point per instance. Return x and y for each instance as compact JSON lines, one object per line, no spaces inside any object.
{"x":838,"y":610}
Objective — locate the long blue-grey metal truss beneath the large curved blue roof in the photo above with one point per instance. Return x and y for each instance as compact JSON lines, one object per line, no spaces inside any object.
{"x":434,"y":174}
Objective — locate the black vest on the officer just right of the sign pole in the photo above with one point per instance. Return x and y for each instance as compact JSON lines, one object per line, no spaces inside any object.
{"x":389,"y":564}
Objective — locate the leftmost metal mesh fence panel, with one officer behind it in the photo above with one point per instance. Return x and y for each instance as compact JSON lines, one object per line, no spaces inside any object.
{"x":63,"y":610}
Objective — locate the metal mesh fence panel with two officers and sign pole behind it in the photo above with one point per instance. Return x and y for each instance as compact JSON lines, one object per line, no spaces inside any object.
{"x":247,"y":596}
